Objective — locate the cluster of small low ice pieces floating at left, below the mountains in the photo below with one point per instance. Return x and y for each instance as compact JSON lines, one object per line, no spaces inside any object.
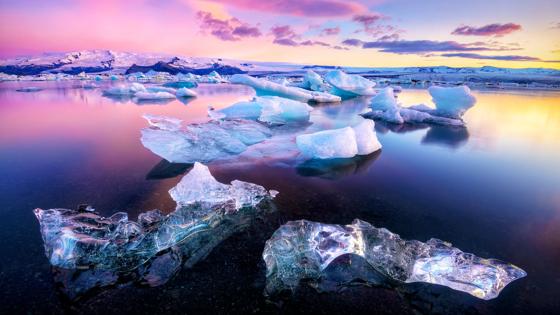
{"x":141,"y":92}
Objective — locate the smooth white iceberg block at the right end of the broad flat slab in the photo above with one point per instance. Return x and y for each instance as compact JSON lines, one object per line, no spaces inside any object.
{"x":340,"y":143}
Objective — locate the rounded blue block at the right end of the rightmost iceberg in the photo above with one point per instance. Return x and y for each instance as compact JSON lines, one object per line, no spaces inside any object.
{"x":451,"y":102}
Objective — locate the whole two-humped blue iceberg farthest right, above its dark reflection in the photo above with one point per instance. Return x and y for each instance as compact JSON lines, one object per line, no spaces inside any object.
{"x":451,"y":103}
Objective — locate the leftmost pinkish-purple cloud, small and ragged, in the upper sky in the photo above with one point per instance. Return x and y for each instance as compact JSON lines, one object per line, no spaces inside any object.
{"x":228,"y":30}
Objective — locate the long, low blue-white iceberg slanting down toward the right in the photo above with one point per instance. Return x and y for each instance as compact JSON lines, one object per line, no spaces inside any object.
{"x":268,"y":88}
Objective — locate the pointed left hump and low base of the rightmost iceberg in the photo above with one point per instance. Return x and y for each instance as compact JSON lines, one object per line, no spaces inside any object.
{"x":385,"y":107}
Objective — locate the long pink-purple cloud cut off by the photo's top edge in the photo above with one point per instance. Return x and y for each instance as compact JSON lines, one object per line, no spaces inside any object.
{"x":306,"y":8}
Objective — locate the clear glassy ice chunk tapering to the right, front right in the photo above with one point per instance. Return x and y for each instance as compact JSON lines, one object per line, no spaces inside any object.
{"x":303,"y":250}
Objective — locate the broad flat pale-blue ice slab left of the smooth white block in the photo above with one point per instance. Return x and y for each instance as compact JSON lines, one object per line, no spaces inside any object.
{"x":200,"y":142}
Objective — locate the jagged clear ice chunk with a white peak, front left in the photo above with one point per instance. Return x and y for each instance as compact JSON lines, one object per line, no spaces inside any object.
{"x":92,"y":250}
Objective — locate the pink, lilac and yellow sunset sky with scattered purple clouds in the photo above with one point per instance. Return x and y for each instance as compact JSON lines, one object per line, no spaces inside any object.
{"x":381,"y":33}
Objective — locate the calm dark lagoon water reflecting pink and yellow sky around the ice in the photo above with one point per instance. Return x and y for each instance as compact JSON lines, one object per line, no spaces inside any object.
{"x":492,"y":189}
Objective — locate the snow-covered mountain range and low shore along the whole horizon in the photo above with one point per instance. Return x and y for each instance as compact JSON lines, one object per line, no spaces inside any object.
{"x":107,"y":61}
